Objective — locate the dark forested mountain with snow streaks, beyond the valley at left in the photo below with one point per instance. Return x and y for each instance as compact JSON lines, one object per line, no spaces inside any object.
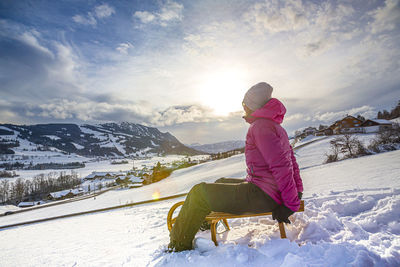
{"x":109,"y":139}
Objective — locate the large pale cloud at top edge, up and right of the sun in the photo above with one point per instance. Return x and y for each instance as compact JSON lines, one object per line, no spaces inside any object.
{"x":315,"y":27}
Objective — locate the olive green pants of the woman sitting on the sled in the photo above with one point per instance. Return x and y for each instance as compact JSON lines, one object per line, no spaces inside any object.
{"x":225,"y":195}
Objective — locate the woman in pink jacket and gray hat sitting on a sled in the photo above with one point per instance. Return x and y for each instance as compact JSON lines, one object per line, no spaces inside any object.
{"x":273,"y":180}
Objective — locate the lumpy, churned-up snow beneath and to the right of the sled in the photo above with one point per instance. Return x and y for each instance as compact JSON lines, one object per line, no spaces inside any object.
{"x":326,"y":234}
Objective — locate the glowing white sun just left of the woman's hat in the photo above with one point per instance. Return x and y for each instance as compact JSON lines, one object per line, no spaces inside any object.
{"x":222,"y":90}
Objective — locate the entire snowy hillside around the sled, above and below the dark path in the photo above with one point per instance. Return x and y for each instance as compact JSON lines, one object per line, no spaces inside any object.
{"x":351,"y":218}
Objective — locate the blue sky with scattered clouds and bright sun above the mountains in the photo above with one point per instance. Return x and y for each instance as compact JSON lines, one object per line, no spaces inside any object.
{"x":184,"y":66}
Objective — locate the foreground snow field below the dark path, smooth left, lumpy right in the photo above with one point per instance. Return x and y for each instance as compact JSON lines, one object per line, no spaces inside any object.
{"x":331,"y":232}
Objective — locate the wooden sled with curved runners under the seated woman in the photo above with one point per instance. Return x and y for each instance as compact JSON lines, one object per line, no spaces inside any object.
{"x":214,"y":217}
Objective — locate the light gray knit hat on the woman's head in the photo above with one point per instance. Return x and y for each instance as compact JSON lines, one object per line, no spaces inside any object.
{"x":257,"y":96}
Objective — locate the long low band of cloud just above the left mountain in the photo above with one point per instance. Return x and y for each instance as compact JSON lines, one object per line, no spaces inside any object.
{"x":92,"y":109}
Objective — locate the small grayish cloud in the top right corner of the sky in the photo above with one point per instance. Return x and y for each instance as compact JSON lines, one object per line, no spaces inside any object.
{"x":386,"y":18}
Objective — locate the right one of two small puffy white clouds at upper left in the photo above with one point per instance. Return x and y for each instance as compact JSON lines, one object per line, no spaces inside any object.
{"x":169,"y":11}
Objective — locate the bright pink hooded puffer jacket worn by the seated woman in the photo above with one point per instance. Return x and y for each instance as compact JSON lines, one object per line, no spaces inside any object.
{"x":271,"y":164}
